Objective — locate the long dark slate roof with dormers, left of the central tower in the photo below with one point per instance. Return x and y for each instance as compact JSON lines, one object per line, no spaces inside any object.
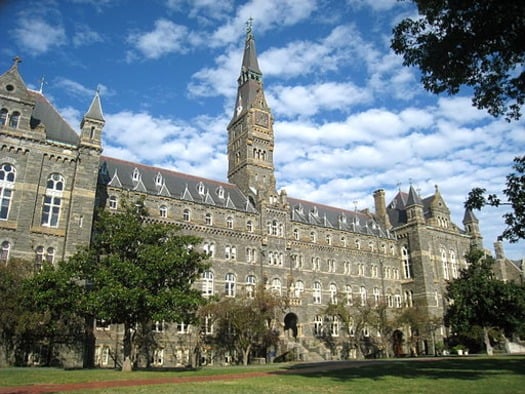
{"x":168,"y":183}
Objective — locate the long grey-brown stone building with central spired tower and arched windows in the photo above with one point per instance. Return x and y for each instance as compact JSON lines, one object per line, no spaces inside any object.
{"x":401,"y":254}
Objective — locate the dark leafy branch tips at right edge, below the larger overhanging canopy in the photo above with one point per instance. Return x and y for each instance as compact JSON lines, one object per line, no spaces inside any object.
{"x":515,"y":192}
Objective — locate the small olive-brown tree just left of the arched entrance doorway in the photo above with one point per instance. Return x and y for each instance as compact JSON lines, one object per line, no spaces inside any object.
{"x":244,"y":323}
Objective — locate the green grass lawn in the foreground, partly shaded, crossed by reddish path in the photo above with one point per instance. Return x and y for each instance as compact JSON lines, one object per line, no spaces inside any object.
{"x":502,"y":374}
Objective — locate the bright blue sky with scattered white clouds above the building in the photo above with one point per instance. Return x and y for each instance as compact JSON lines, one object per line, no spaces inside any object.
{"x":349,"y":118}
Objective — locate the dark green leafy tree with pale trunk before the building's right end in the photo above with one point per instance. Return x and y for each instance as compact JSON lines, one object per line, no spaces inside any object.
{"x":478,"y":299}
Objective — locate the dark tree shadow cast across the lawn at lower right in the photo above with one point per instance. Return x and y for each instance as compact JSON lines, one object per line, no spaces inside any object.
{"x":464,"y":368}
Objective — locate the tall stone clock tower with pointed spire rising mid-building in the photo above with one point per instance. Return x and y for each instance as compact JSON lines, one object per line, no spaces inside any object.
{"x":250,"y":132}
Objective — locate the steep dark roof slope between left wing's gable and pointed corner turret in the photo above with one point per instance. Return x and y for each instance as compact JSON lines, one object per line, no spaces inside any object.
{"x":57,"y":129}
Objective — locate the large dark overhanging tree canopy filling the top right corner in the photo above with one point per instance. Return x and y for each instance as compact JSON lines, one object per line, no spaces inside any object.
{"x":474,"y":43}
